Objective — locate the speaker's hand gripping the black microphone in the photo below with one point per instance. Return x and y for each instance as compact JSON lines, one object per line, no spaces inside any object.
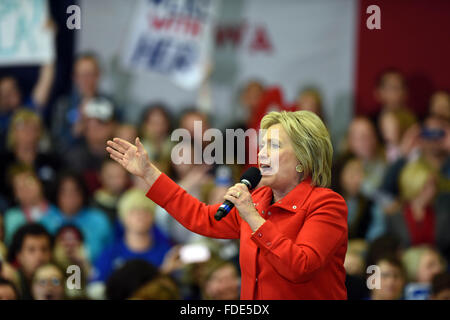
{"x":242,"y":200}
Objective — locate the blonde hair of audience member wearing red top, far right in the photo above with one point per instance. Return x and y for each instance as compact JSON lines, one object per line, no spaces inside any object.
{"x":413,"y":178}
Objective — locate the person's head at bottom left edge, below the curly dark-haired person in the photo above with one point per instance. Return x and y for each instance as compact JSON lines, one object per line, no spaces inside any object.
{"x":48,"y":283}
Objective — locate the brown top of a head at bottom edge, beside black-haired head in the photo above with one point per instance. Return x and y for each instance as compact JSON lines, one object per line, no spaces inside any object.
{"x":160,"y":288}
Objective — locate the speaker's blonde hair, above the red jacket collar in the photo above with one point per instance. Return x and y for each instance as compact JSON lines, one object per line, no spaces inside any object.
{"x":311,"y":142}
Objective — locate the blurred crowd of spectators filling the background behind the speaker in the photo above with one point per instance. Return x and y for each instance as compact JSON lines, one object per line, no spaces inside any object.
{"x":64,"y":203}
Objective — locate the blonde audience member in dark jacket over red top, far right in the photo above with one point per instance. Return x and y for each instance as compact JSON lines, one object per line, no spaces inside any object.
{"x":424,"y":217}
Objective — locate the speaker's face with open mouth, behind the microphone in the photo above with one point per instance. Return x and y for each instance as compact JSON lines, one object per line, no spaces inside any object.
{"x":277,"y":160}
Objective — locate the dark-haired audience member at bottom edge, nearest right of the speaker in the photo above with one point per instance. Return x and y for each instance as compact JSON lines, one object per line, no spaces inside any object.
{"x":392,"y":279}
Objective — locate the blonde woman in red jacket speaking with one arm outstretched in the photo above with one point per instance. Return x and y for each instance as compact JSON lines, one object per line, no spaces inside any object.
{"x":293,"y":230}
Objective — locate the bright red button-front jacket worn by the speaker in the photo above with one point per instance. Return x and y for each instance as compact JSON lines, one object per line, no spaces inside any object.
{"x":298,"y":253}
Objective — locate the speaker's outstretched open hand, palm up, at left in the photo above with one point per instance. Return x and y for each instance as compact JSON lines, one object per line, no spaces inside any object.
{"x":133,"y":158}
